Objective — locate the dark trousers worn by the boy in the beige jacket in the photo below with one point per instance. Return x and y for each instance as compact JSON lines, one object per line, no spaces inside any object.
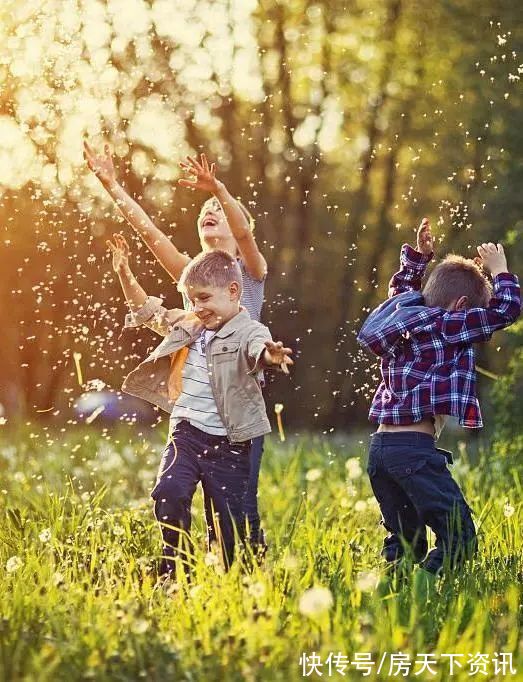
{"x":222,"y":467}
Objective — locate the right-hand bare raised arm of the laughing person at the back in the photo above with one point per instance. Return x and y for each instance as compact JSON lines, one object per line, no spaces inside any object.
{"x":205,"y":179}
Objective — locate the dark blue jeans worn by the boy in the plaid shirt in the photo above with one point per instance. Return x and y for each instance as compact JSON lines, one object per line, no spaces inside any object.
{"x":414,"y":488}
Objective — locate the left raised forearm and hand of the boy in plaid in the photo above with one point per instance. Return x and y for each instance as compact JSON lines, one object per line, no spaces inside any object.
{"x":413,"y":262}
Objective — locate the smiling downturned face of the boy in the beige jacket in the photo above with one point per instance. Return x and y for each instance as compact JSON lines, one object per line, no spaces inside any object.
{"x":214,"y":306}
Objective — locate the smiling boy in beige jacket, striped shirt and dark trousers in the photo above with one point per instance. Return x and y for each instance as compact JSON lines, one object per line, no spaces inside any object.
{"x":204,"y":372}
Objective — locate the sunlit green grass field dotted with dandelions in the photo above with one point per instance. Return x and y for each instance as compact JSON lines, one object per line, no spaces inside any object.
{"x":78,"y":545}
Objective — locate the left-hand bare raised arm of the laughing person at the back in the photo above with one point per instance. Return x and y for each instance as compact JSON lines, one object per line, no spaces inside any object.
{"x":172,"y":260}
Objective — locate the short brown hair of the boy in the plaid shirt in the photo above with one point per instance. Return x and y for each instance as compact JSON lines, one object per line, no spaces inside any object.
{"x":456,"y":276}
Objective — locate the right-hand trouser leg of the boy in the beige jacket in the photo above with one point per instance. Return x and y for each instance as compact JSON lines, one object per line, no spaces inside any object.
{"x":225,"y":473}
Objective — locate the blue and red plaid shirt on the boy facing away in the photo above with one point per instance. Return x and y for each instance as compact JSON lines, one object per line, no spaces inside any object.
{"x":427,"y":358}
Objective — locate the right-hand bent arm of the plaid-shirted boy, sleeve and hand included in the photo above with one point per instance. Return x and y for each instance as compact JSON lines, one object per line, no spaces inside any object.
{"x":478,"y":324}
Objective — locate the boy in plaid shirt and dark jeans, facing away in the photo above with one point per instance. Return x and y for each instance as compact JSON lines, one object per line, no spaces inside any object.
{"x":425,"y":342}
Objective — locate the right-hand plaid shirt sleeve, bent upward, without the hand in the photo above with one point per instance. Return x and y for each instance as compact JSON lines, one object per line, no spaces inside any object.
{"x":478,"y":324}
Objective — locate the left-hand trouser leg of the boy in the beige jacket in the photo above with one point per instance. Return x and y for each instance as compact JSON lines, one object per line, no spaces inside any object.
{"x":178,"y":477}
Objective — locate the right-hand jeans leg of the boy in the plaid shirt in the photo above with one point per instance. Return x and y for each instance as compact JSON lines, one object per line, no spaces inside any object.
{"x":425,"y":478}
